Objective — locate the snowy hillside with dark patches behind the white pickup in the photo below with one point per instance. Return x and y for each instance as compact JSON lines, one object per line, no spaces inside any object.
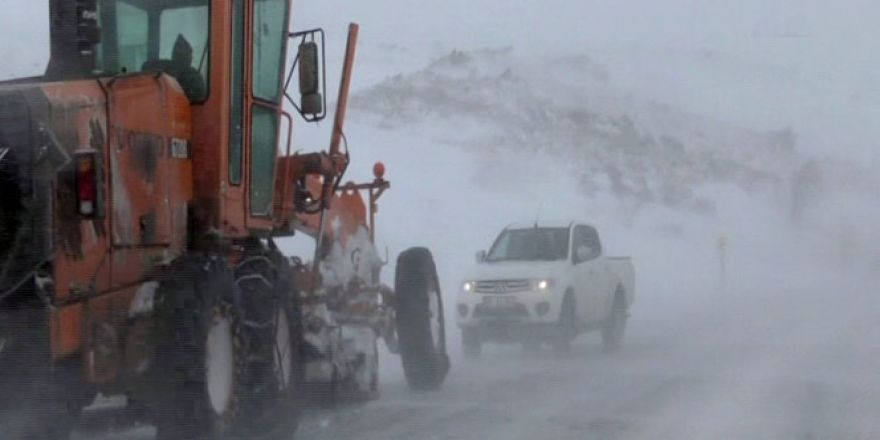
{"x":477,"y":139}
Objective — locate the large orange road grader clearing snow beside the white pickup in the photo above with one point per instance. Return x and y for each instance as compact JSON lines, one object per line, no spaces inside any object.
{"x":144,"y":180}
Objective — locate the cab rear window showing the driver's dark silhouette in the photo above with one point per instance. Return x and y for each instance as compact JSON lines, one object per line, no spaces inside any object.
{"x":156,"y":35}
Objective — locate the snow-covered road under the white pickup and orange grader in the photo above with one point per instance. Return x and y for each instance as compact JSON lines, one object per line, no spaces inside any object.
{"x":787,"y":363}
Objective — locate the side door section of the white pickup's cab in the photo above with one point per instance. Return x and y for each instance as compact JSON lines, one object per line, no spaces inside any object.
{"x":591,"y":275}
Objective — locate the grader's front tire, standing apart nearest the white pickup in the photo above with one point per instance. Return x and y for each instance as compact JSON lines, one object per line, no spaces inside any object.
{"x":420,"y":324}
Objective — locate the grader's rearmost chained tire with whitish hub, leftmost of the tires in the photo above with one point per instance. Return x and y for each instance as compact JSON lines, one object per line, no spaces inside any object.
{"x":202,"y":360}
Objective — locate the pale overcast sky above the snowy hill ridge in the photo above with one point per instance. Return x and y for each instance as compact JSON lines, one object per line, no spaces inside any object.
{"x":829,"y":49}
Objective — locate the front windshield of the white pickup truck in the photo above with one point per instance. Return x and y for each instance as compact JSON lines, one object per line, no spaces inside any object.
{"x":530,"y":244}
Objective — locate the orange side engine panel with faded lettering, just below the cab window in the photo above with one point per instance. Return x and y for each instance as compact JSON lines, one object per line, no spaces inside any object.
{"x":150,"y":132}
